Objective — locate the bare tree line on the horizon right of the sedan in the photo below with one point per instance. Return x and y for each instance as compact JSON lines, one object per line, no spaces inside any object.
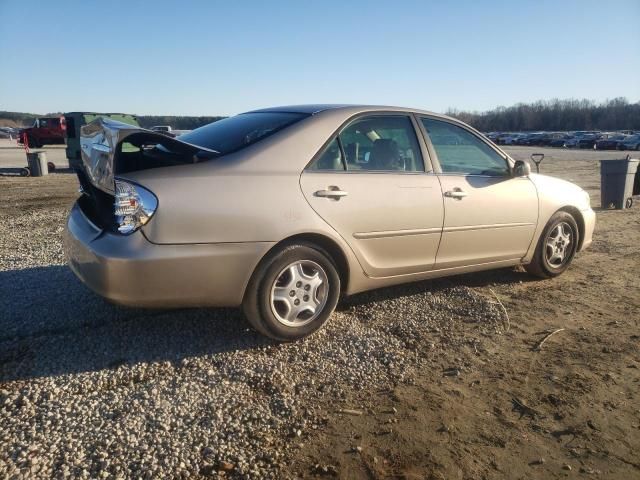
{"x":556,"y":115}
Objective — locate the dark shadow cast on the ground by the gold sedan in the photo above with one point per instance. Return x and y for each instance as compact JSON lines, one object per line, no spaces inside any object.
{"x":51,"y":324}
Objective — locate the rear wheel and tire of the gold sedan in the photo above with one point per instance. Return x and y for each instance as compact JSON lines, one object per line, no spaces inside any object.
{"x":288,"y":270}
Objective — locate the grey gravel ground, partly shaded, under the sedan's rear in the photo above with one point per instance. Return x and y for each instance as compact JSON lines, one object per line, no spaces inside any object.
{"x":91,"y":390}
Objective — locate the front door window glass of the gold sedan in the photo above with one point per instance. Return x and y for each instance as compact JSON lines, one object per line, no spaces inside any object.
{"x":459,"y":151}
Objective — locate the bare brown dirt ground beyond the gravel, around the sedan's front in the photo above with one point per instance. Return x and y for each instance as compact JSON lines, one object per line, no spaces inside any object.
{"x":506,"y":411}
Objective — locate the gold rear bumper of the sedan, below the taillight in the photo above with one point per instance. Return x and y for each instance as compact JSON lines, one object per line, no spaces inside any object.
{"x":130,"y":270}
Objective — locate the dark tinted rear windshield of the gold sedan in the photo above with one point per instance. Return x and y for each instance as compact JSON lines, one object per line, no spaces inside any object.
{"x":234,"y":133}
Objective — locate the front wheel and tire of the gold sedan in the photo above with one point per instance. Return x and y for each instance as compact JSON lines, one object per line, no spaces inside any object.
{"x":546,"y":262}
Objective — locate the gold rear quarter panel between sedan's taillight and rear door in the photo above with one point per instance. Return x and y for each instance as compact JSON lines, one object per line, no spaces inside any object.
{"x":252,"y":195}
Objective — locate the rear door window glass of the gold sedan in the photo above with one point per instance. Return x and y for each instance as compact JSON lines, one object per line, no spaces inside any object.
{"x":381,"y":143}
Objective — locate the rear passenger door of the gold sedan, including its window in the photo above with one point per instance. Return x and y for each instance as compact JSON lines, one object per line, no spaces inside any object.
{"x":369,"y":184}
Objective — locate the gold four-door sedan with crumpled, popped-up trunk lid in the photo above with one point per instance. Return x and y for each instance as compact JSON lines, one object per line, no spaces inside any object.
{"x":283,"y":210}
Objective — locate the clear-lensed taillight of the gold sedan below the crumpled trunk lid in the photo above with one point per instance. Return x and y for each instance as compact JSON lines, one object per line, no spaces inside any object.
{"x":133,"y":206}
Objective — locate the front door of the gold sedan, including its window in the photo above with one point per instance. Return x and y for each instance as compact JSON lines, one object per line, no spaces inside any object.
{"x":489,"y":215}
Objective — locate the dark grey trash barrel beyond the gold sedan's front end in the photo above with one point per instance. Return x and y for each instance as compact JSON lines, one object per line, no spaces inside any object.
{"x":616,"y":182}
